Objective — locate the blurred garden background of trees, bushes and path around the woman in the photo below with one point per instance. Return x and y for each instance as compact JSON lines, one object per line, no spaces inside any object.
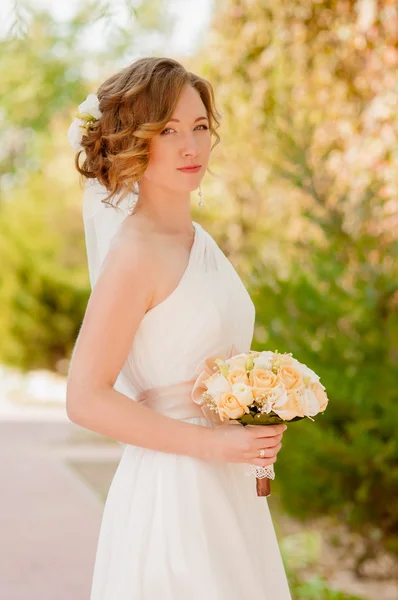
{"x":303,"y":200}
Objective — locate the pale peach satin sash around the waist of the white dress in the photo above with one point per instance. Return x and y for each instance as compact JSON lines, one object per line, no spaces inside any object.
{"x":174,"y":401}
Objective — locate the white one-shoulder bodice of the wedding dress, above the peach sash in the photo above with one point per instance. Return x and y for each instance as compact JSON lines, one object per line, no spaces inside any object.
{"x":208,"y":311}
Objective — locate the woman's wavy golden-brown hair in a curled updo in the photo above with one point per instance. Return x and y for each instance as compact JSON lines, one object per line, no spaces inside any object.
{"x":136,"y":103}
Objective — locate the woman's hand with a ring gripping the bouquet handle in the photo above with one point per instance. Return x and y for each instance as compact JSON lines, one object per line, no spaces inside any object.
{"x":236,"y":443}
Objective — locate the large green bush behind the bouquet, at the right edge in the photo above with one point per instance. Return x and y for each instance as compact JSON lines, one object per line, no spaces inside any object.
{"x":336,"y":312}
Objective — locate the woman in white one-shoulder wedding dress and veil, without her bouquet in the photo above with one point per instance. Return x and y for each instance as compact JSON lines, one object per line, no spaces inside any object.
{"x":182,"y":521}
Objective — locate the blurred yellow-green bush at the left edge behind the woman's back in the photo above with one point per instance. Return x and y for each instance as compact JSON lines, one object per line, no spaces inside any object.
{"x":44,"y":286}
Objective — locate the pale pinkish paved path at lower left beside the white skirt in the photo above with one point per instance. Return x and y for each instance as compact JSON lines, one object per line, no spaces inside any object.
{"x":49,"y":515}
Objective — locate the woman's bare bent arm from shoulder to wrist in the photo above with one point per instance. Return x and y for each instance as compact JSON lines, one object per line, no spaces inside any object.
{"x":115,"y":309}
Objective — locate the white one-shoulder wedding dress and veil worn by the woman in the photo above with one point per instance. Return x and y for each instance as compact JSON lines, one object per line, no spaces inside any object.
{"x":176,"y":527}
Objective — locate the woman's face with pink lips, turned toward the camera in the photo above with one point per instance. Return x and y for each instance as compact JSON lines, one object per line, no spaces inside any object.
{"x":183,"y":142}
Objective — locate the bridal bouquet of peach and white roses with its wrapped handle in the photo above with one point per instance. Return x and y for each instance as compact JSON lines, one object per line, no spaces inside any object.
{"x":259,"y":388}
